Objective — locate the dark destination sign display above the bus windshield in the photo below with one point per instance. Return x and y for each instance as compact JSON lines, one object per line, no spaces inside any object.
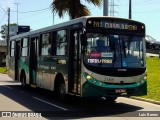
{"x":115,"y":24}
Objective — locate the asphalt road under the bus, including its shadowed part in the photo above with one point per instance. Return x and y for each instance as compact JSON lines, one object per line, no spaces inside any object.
{"x":19,"y":103}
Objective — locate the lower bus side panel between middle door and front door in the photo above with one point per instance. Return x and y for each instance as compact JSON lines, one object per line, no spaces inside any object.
{"x":48,"y":68}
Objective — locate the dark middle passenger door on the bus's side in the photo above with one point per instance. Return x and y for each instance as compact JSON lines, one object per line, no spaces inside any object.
{"x":33,"y":60}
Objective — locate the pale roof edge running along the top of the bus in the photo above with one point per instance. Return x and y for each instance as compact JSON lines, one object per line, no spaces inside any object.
{"x":61,"y":25}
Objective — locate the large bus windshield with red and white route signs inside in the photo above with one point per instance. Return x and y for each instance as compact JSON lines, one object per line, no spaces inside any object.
{"x":116,"y":51}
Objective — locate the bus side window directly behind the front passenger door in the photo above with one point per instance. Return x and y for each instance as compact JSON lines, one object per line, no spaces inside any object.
{"x":61,"y":43}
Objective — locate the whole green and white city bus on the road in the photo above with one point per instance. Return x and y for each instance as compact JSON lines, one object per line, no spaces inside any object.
{"x":86,"y":57}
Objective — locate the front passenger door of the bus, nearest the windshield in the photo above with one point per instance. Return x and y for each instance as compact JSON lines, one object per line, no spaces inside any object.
{"x":74,"y":62}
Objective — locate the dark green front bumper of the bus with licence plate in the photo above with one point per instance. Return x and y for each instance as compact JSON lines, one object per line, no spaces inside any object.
{"x":95,"y":88}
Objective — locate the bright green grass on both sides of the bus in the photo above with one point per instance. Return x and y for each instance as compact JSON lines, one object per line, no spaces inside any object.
{"x":153,"y":78}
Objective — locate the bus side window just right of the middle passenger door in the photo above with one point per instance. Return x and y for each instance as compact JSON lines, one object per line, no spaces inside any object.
{"x":46,"y":44}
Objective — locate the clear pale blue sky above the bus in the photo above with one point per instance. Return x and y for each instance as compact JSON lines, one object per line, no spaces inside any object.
{"x":38,"y":14}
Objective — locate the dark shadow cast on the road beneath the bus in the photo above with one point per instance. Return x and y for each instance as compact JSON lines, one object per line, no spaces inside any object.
{"x":76,"y":107}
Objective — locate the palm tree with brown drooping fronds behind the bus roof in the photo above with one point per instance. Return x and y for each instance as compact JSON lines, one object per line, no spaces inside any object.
{"x":74,"y":8}
